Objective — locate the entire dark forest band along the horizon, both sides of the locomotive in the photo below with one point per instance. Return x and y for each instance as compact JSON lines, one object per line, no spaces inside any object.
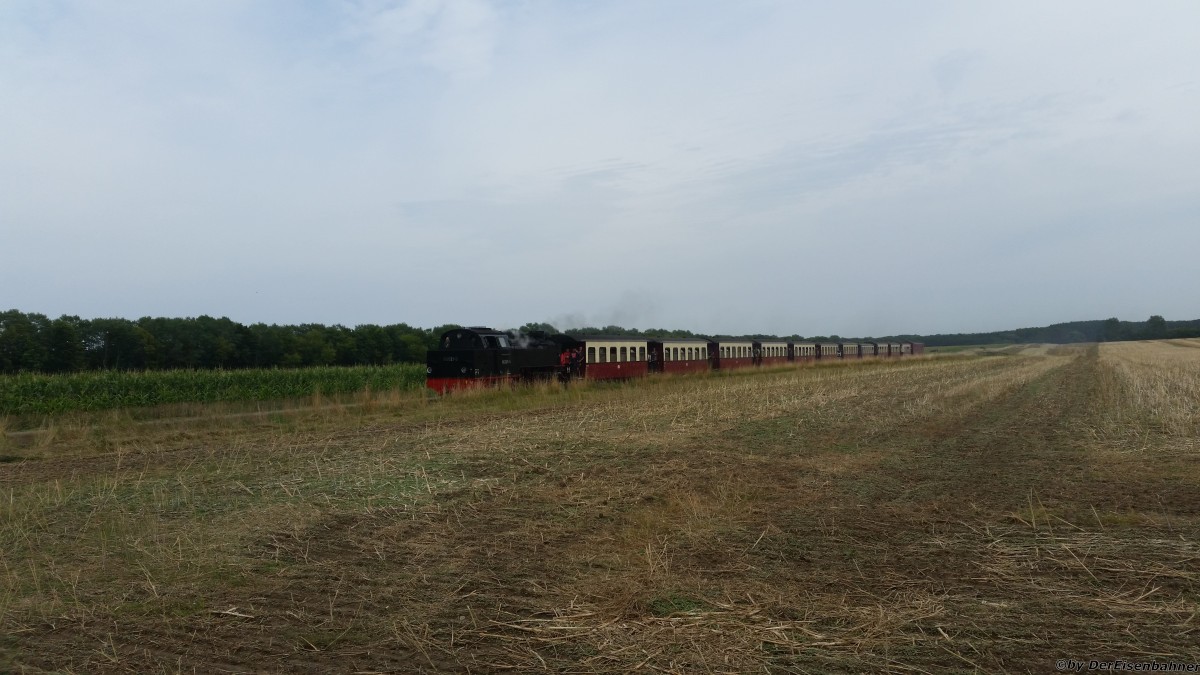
{"x":33,"y":343}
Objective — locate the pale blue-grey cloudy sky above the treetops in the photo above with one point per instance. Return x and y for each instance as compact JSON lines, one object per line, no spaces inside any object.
{"x":784,"y":168}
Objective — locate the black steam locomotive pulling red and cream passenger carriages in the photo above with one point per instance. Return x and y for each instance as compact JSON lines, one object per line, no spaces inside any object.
{"x":472,"y":357}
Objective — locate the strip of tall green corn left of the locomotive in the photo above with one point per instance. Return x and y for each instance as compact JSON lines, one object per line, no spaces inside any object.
{"x":51,"y":395}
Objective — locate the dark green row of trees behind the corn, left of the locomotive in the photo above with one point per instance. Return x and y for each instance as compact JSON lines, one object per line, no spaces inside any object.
{"x":34,"y":343}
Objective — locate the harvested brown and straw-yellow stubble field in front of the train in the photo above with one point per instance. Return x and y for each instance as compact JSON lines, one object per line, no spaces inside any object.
{"x":970,"y":515}
